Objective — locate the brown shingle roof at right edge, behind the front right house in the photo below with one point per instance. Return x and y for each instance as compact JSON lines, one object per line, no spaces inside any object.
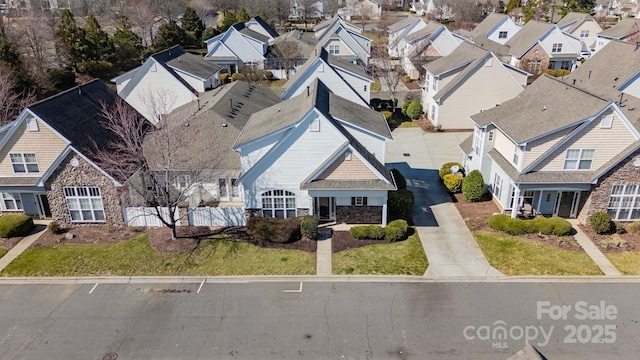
{"x":606,"y":70}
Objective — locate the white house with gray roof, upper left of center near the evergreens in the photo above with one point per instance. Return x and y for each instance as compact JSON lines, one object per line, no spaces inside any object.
{"x":237,"y":47}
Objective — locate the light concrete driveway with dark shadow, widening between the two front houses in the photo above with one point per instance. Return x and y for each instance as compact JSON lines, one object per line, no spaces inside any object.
{"x":451,"y":249}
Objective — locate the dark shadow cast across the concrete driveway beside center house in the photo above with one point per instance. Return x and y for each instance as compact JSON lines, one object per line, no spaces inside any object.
{"x":427,"y":190}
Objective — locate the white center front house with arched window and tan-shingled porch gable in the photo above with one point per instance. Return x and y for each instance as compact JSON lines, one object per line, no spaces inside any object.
{"x":316,"y":153}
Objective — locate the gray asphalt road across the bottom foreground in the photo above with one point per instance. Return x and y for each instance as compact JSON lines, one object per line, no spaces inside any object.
{"x":341,"y":320}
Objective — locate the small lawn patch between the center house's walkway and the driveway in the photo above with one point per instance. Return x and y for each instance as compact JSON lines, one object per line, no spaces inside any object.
{"x":401,"y":258}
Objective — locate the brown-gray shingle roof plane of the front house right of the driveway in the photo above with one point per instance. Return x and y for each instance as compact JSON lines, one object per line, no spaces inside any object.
{"x":543,"y":107}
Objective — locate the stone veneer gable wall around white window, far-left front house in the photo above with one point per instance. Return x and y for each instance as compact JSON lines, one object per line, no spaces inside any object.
{"x":84,"y":174}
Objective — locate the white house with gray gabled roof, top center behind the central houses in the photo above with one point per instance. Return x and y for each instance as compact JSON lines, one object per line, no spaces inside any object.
{"x":341,"y":40}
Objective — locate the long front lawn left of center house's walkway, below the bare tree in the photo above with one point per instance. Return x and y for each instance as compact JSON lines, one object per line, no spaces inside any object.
{"x":136,"y":257}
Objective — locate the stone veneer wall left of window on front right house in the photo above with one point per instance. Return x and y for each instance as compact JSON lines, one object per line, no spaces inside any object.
{"x":623,"y":173}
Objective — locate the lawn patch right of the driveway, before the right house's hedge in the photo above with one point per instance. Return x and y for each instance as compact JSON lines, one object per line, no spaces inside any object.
{"x":515,"y":256}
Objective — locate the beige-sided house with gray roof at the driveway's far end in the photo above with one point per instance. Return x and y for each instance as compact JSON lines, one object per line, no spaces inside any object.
{"x":468,"y":80}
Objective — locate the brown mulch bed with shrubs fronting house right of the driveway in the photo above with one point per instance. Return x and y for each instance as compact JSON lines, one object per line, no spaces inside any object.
{"x":477,"y":214}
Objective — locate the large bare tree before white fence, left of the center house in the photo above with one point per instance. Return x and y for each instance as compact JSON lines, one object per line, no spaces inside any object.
{"x":157,"y":163}
